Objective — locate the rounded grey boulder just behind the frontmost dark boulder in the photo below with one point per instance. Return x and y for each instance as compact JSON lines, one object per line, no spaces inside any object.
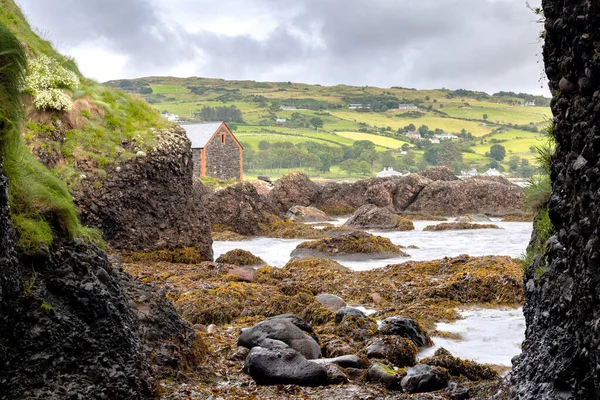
{"x":282,"y":330}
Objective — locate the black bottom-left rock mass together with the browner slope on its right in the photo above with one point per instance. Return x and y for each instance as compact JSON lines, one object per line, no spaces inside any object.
{"x":71,"y":326}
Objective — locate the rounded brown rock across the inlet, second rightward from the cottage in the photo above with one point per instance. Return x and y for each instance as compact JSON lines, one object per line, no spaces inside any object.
{"x":293,"y":189}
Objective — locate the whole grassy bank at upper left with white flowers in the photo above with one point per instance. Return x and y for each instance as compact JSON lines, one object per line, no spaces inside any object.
{"x":75,"y":127}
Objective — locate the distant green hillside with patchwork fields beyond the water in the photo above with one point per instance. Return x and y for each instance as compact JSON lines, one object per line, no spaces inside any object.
{"x":479,"y":120}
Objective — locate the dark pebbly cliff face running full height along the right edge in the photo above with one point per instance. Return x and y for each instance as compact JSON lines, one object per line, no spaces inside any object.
{"x":561,"y":353}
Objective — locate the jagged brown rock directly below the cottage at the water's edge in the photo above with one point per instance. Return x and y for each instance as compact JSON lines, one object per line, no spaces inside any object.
{"x":240,"y":208}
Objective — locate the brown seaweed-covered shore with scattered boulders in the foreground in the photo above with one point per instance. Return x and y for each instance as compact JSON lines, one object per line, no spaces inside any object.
{"x":303,"y":331}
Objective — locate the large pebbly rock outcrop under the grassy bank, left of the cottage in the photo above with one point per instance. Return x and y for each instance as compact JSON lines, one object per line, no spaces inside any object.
{"x":149,"y":203}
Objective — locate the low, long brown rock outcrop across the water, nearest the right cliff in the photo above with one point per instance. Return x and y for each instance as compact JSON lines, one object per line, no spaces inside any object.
{"x":469,"y":196}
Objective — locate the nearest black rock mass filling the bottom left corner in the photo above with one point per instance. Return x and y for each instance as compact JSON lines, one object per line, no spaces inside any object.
{"x":70,"y":331}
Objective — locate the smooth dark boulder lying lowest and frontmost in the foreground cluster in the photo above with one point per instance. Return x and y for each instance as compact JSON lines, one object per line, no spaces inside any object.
{"x":283,"y":366}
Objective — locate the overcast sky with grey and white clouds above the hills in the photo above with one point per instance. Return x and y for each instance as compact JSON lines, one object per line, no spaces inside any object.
{"x":487,"y":45}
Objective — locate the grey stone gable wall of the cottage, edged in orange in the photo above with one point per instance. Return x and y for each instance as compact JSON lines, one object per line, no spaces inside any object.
{"x":223,"y":160}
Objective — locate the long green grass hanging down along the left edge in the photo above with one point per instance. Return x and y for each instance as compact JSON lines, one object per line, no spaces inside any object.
{"x":41,"y":205}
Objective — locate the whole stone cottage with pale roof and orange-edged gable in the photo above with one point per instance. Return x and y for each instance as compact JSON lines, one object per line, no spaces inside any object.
{"x":215,"y":151}
